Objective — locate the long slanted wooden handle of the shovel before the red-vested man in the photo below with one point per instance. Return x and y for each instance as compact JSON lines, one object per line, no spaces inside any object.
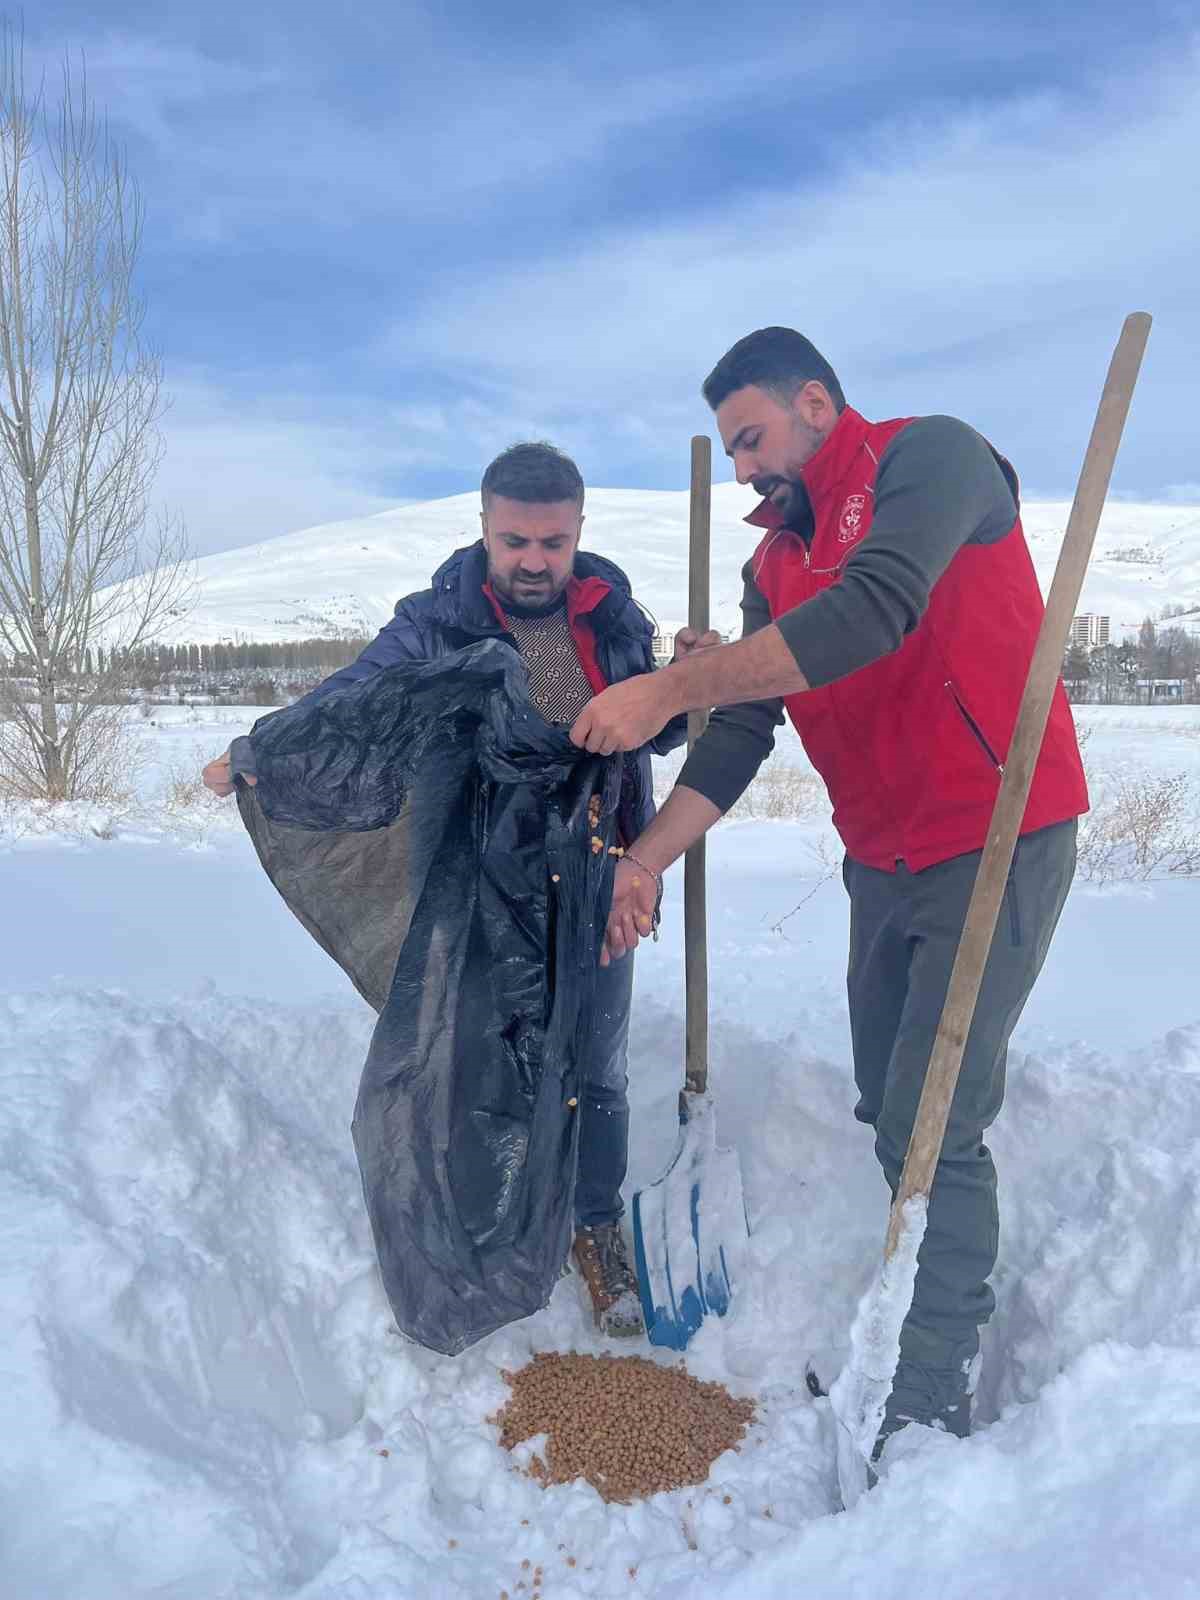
{"x":1010,"y":806}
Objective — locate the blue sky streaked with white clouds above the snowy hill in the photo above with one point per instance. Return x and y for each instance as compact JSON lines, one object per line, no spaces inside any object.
{"x":385,"y":241}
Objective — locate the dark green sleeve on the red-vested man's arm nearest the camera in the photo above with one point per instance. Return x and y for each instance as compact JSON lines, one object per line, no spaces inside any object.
{"x":940,"y":486}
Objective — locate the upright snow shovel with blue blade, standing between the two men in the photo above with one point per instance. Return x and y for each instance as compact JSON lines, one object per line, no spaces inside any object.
{"x":689,"y":1225}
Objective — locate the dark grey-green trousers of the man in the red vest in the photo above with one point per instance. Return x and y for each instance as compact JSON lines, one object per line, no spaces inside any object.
{"x":905,"y":934}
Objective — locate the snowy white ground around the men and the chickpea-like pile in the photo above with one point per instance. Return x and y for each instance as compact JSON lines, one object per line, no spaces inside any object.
{"x":201,"y":1393}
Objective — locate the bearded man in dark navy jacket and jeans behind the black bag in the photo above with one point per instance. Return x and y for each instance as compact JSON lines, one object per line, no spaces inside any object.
{"x":578,"y":630}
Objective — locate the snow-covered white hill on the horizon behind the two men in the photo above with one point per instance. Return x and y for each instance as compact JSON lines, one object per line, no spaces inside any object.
{"x":348,"y":575}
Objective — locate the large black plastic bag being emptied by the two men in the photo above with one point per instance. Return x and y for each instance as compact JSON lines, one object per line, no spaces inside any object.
{"x":450,"y":850}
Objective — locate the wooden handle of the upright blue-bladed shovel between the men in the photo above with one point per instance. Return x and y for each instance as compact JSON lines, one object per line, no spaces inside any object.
{"x":695,"y":910}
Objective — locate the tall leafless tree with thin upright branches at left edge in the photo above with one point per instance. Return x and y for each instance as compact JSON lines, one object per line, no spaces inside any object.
{"x":82,"y":564}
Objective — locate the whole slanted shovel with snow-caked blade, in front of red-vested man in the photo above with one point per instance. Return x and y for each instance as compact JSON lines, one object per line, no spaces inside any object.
{"x":862,"y":1391}
